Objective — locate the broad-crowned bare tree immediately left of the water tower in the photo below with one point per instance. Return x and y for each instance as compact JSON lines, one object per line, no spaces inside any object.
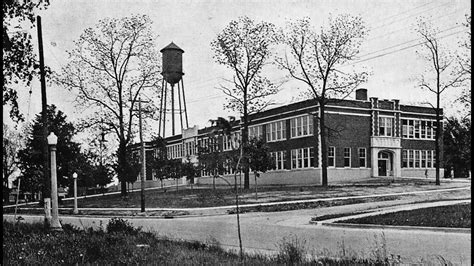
{"x":109,"y":67}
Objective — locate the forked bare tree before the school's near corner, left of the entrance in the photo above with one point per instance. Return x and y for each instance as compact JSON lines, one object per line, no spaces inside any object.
{"x":318,"y":59}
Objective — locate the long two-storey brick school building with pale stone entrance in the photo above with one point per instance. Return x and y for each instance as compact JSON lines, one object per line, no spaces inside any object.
{"x":367,"y":137}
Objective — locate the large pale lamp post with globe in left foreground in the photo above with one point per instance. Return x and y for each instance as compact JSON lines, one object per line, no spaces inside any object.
{"x":55,"y":224}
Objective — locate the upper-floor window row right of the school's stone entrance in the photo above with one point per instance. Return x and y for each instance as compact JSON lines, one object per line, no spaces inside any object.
{"x":418,"y":129}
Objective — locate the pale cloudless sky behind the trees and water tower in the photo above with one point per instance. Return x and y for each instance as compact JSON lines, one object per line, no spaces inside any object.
{"x":192,"y":25}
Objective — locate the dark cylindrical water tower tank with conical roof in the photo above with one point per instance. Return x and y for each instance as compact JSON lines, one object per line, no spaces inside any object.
{"x":172,"y":63}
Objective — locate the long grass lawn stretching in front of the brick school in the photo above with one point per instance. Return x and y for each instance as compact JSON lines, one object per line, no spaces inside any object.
{"x":222,"y":196}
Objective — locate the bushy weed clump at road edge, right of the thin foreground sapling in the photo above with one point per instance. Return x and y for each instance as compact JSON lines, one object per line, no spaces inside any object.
{"x":291,"y":250}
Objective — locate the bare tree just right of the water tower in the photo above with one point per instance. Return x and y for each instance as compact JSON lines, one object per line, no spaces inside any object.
{"x":244,"y":47}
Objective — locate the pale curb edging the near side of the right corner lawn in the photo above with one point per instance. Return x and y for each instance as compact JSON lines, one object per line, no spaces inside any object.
{"x":395,"y":227}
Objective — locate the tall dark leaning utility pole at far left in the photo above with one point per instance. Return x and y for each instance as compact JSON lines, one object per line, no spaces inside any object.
{"x":44,"y":111}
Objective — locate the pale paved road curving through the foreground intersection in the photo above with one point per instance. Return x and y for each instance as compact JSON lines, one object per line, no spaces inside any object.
{"x":262,"y":231}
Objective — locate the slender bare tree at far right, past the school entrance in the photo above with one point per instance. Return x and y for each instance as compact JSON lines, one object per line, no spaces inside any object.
{"x":438,"y":76}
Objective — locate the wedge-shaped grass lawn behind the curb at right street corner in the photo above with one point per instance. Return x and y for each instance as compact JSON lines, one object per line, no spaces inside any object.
{"x":455,"y":216}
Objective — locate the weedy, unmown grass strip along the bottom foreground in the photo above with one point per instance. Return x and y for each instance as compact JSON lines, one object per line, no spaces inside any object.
{"x":31,"y":244}
